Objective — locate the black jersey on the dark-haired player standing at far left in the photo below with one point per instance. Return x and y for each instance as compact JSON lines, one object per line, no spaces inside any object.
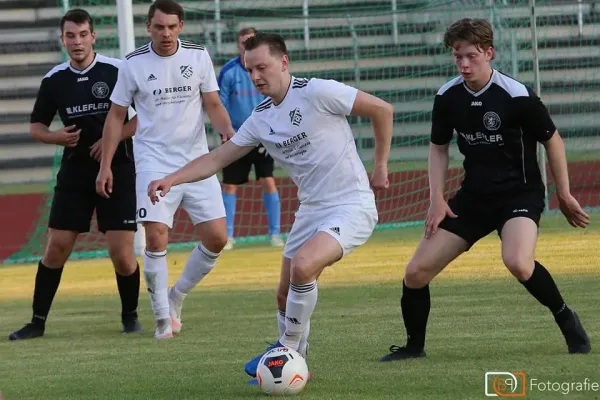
{"x":82,"y":98}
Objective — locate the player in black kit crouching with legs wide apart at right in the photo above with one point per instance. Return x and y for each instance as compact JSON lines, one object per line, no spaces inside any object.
{"x":499,"y":122}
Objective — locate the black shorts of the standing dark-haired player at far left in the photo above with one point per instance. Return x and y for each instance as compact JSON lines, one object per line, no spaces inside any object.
{"x":75,"y":200}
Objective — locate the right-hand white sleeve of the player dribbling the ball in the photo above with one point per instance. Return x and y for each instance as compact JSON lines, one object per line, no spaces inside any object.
{"x":331,"y":96}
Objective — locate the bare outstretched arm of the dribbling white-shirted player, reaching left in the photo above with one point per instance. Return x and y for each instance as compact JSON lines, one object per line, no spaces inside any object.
{"x":199,"y":169}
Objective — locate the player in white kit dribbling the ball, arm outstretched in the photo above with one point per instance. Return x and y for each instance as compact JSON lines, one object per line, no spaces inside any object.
{"x":302,"y":124}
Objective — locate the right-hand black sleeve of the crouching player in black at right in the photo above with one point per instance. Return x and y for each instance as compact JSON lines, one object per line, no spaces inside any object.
{"x":535,"y":118}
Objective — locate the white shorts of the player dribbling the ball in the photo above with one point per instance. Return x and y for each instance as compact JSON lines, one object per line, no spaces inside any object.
{"x":350,"y":225}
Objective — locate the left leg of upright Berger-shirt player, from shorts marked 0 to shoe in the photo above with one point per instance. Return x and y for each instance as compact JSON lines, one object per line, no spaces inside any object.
{"x":157,"y":219}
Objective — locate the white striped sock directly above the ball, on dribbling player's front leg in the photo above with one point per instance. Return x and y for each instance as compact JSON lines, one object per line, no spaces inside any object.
{"x":301,"y":303}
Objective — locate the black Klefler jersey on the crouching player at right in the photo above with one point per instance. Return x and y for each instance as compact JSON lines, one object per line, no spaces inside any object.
{"x":498,"y":129}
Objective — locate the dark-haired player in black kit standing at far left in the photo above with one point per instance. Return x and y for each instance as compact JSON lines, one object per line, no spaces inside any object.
{"x":79,"y":90}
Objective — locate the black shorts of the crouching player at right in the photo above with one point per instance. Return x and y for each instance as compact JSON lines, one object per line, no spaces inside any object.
{"x":479,"y":216}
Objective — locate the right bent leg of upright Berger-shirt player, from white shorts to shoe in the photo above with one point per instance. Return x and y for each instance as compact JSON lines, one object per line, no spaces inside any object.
{"x":203,"y":203}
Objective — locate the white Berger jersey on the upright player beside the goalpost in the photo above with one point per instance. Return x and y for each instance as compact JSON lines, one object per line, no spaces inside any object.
{"x":166,"y":93}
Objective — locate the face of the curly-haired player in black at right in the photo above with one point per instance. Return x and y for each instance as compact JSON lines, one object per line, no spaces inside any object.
{"x":473,"y":63}
